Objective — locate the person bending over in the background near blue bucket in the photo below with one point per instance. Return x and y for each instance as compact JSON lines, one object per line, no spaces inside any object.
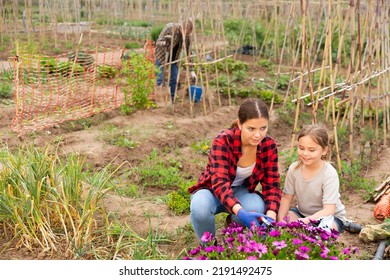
{"x":172,"y":40}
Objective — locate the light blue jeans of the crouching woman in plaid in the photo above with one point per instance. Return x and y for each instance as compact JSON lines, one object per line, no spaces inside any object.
{"x":205,"y":205}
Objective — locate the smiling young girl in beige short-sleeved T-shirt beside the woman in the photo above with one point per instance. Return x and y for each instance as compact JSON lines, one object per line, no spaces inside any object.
{"x":313,"y":181}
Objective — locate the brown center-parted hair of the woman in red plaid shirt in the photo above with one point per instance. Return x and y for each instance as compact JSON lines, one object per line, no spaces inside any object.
{"x":251,"y":108}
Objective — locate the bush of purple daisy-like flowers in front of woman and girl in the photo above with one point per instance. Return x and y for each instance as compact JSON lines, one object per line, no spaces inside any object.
{"x":280,"y":241}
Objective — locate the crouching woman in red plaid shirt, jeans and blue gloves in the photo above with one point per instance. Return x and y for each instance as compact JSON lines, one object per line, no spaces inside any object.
{"x":240,"y":158}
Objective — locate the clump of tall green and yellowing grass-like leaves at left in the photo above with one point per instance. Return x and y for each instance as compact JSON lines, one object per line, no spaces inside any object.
{"x":45,"y":199}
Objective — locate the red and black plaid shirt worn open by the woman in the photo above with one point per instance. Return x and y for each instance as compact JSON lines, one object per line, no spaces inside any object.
{"x":221,"y":170}
